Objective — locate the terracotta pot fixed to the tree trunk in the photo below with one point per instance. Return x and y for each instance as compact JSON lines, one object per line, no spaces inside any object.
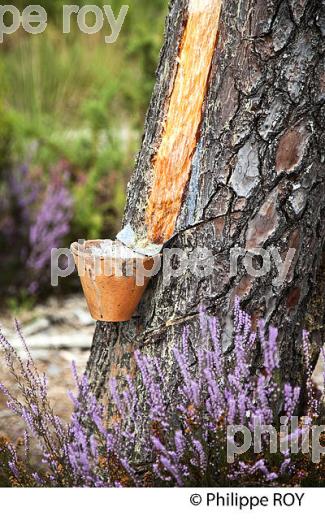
{"x":111,"y":294}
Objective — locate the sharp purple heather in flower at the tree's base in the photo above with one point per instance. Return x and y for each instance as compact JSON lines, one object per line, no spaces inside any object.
{"x":184,"y":439}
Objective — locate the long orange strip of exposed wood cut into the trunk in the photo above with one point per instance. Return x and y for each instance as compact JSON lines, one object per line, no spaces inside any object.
{"x":172,"y":164}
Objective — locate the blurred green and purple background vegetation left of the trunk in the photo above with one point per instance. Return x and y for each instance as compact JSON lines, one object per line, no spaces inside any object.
{"x":71,"y":117}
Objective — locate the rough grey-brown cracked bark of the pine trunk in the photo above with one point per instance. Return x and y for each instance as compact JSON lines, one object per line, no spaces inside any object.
{"x":257,"y":180}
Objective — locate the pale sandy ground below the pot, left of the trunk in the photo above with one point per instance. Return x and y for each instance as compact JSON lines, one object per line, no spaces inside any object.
{"x":68,"y":320}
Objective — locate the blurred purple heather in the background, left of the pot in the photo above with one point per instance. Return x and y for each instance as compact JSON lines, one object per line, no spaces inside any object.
{"x":35,"y":216}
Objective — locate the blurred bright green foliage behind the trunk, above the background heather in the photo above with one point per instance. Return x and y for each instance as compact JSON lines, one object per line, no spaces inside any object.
{"x":72,"y":97}
